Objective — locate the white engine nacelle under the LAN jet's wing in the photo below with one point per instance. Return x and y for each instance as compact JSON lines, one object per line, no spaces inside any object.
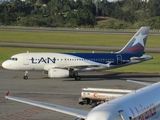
{"x":58,"y":73}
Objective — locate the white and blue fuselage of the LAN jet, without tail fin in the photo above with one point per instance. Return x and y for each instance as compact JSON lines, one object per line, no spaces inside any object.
{"x":97,"y":61}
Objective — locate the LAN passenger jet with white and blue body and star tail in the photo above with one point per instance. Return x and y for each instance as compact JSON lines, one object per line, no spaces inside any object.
{"x":58,"y":65}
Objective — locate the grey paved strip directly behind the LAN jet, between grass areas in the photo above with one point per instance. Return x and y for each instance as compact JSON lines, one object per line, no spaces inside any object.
{"x":75,"y":47}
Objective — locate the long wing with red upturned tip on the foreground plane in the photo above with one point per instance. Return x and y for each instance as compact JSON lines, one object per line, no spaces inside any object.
{"x":66,"y":110}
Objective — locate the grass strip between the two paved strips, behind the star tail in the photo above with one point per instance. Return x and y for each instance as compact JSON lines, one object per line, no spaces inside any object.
{"x":73,"y":38}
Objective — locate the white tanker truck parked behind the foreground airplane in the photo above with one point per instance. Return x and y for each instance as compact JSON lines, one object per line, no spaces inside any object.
{"x":96,"y":96}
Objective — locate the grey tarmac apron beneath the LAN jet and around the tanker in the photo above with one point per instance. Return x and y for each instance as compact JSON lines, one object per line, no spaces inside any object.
{"x":64,"y":91}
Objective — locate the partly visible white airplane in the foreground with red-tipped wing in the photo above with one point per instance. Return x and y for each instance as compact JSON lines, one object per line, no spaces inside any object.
{"x":142,"y":104}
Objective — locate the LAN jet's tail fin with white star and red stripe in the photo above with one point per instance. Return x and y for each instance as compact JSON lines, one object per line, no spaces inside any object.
{"x":137,"y":43}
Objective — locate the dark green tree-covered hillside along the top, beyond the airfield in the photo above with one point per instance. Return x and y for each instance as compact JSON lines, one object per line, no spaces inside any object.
{"x":80,"y":13}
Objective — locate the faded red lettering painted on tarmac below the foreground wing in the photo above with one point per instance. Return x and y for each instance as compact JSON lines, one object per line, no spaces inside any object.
{"x":23,"y":115}
